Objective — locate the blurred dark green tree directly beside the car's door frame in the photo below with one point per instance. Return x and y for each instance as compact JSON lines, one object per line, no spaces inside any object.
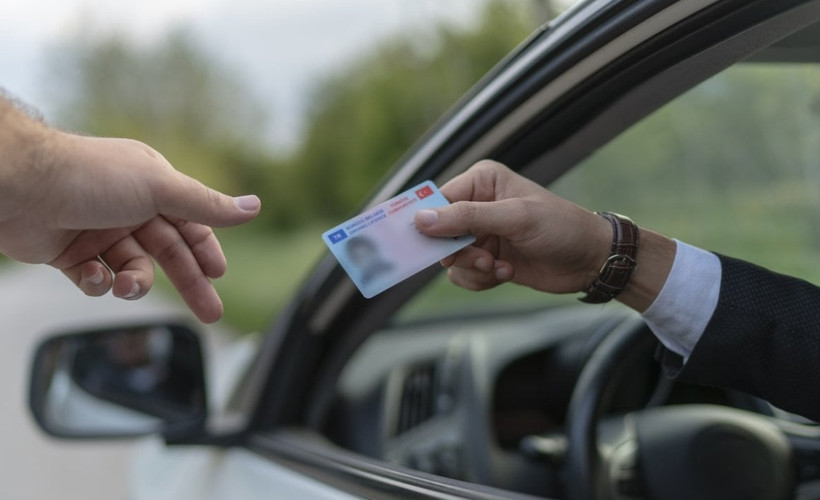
{"x":364,"y":118}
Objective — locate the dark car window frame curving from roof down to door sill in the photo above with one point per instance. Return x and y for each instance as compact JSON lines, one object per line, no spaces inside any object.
{"x":567,"y":91}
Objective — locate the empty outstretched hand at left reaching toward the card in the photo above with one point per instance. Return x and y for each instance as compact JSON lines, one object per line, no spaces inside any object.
{"x":102,"y":210}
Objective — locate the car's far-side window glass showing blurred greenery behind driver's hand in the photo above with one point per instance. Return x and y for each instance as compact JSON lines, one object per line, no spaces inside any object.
{"x":730,"y":166}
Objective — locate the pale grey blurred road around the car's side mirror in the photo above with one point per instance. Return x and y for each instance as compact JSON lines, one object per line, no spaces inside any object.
{"x":36,"y":301}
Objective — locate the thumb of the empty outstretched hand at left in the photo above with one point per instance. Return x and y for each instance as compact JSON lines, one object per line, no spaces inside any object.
{"x":191,"y":200}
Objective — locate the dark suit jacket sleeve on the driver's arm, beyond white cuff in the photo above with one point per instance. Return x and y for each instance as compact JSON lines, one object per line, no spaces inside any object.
{"x":764,"y":339}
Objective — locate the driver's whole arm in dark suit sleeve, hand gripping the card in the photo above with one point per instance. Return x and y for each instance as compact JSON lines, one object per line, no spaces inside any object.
{"x":724,"y":322}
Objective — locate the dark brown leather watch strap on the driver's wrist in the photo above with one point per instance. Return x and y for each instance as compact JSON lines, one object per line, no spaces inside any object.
{"x":616,"y":271}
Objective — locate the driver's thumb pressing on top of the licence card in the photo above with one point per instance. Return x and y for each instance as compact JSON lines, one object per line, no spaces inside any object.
{"x":466,"y":217}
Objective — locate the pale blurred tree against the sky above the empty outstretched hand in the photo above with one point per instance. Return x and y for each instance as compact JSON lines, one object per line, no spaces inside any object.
{"x":173,"y":96}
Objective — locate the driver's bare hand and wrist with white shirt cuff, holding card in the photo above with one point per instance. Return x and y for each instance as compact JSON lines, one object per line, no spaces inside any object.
{"x":527,"y":235}
